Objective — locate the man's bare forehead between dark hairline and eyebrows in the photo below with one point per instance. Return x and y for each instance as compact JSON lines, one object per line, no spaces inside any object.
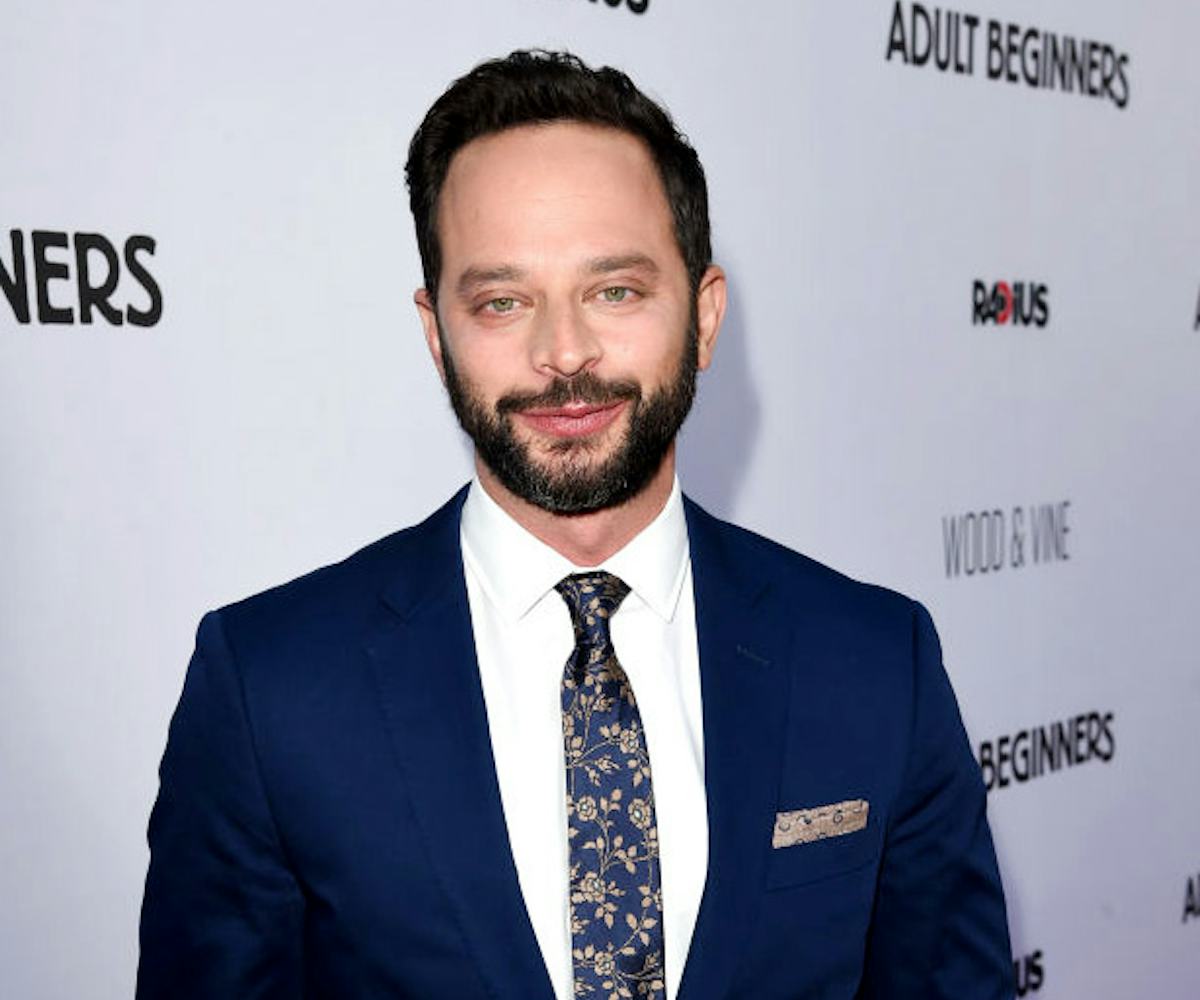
{"x":544,"y":193}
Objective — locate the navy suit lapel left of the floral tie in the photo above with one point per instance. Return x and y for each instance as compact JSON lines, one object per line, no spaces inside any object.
{"x":424,"y":660}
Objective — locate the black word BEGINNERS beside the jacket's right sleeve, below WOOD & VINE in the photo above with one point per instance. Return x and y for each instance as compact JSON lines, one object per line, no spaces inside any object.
{"x":1035,"y":753}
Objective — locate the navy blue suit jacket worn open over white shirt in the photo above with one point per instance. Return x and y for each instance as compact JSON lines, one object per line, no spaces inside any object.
{"x":329,"y":822}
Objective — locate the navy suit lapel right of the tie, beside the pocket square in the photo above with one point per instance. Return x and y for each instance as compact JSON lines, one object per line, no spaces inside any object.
{"x":745,"y":688}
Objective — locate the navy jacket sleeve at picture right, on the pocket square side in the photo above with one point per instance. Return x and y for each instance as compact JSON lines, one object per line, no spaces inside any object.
{"x":940,"y":930}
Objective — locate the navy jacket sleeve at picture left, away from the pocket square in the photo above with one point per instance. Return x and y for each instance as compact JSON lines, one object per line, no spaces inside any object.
{"x":223,"y":914}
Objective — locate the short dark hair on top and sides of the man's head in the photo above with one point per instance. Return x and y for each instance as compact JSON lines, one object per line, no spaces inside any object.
{"x":532,"y":87}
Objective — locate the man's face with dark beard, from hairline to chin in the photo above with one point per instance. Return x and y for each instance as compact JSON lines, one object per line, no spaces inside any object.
{"x":565,"y":330}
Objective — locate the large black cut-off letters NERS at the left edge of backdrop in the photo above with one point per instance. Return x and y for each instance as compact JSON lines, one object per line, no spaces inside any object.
{"x":75,"y":277}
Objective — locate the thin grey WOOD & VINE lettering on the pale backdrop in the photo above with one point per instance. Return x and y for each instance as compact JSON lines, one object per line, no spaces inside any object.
{"x":983,"y":542}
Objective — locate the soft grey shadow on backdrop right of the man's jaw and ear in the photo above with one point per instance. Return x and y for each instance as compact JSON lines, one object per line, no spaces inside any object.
{"x":718,"y":441}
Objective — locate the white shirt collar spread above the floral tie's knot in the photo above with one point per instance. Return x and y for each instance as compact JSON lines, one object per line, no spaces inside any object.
{"x":517,"y":570}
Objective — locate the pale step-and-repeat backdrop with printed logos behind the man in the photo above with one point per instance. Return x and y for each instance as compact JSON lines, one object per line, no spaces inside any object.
{"x":963,"y":360}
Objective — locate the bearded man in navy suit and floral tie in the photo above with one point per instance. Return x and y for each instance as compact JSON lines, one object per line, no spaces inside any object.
{"x":571,"y":736}
